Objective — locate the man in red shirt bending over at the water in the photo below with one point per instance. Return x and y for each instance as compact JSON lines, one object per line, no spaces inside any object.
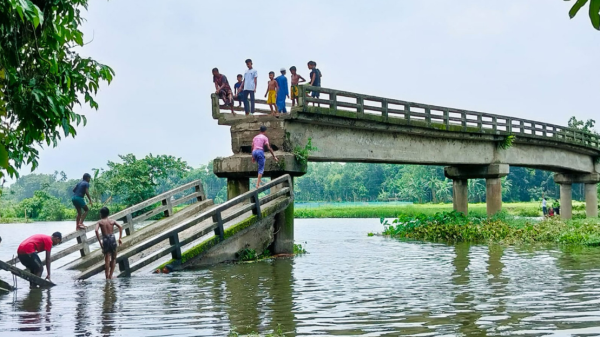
{"x":28,"y":249}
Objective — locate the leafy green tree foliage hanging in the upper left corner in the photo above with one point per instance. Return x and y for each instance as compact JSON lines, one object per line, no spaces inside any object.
{"x":42,"y":78}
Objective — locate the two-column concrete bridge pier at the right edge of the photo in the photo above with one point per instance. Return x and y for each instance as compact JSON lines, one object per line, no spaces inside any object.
{"x":591,"y":193}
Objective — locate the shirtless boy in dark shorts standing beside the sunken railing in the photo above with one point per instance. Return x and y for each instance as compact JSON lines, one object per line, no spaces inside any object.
{"x":108,"y":244}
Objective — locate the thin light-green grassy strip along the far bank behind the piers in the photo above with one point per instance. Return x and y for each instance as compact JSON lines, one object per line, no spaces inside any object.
{"x":519,"y":209}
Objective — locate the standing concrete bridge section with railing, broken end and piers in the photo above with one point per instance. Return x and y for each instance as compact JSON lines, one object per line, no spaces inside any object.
{"x":351,"y":127}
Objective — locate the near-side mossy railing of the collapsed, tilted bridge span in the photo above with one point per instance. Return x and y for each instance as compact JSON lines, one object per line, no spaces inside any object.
{"x":251,"y":201}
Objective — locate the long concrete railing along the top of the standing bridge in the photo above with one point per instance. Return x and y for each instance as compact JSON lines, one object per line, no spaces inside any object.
{"x":437,"y":117}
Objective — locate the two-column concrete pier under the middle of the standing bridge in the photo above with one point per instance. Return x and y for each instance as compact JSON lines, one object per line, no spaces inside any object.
{"x":491,"y":173}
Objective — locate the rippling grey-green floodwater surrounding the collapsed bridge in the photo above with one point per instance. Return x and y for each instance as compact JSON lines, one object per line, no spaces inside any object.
{"x":348,"y":285}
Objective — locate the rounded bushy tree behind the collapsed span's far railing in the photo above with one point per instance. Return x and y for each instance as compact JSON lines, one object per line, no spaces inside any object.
{"x":135,"y":180}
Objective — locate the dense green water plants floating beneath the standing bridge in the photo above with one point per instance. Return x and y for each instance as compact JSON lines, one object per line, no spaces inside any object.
{"x":453,"y":227}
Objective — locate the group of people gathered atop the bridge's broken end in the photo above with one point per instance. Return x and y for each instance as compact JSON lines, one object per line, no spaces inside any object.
{"x":277,"y":88}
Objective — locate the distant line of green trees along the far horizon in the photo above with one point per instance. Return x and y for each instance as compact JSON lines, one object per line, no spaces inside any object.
{"x":132,"y":180}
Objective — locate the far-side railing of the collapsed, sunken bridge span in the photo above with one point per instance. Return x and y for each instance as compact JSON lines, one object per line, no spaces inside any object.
{"x":129,"y":216}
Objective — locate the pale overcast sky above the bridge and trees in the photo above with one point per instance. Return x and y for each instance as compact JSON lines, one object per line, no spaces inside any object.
{"x":512,"y":57}
